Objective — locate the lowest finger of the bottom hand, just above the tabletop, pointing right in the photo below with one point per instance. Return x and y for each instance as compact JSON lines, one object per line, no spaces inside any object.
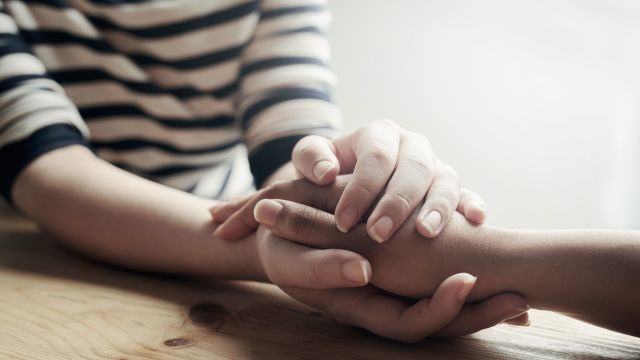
{"x":485,"y":314}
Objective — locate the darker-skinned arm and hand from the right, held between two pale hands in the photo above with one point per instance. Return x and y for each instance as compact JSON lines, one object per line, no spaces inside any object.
{"x":590,"y":275}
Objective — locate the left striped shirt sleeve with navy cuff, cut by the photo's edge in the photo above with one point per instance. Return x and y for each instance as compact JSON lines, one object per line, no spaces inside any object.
{"x":35,"y":114}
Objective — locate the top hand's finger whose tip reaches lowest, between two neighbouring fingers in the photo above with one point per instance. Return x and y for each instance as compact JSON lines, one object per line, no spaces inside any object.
{"x":406,"y":189}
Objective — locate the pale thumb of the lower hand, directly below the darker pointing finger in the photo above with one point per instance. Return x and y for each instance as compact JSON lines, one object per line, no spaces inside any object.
{"x":290,"y":264}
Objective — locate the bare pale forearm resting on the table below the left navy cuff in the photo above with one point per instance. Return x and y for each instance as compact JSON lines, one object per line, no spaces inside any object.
{"x":117,"y":217}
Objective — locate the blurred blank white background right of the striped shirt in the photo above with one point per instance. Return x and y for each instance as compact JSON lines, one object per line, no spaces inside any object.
{"x":535,"y":103}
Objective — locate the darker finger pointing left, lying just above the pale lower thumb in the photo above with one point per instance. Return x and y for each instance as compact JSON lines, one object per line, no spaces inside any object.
{"x":302,"y":224}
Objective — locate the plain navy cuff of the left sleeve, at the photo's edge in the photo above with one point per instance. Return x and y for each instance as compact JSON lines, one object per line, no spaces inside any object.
{"x":16,"y":156}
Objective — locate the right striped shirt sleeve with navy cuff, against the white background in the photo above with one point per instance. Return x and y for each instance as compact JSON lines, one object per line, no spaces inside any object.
{"x":286,"y":84}
